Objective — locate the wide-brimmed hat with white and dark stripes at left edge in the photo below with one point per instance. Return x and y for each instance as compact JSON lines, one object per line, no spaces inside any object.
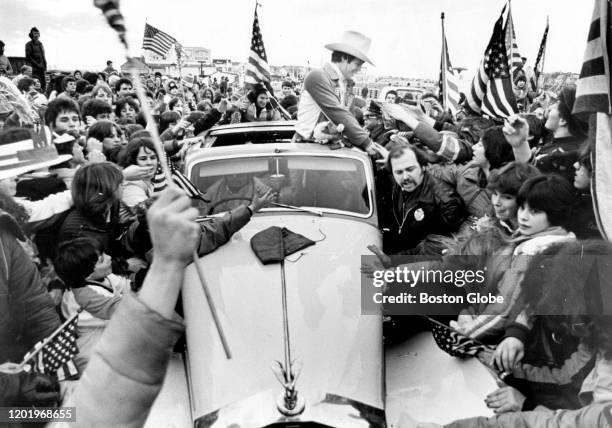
{"x":23,"y":156}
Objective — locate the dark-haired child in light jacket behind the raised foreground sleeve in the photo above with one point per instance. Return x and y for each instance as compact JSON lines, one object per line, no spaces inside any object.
{"x":90,"y":286}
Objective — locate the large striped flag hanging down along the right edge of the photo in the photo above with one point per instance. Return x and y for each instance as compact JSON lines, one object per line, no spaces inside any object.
{"x":593,"y":96}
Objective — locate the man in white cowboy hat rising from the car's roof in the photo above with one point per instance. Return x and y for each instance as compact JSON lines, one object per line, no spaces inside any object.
{"x":325,"y":92}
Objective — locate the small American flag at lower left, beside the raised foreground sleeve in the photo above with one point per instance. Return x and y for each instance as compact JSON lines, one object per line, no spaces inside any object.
{"x":54,"y":354}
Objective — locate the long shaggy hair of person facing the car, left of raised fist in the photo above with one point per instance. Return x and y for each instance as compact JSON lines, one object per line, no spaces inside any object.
{"x":94,"y":189}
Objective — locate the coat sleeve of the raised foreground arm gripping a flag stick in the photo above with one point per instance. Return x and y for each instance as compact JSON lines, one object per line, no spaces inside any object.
{"x":127,"y":368}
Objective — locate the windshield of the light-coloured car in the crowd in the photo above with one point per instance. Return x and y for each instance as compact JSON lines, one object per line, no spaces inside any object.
{"x":329,"y":183}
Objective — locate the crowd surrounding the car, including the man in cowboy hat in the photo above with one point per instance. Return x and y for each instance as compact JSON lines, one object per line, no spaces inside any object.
{"x":90,"y":223}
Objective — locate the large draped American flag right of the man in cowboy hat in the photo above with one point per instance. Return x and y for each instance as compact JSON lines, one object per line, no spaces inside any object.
{"x":491,"y":92}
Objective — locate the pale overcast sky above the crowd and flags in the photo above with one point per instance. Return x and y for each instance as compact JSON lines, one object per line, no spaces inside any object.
{"x":406,"y":36}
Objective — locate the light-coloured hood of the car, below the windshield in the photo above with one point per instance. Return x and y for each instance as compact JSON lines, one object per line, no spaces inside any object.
{"x":341,"y":350}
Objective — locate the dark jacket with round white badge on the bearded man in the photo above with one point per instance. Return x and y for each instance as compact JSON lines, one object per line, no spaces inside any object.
{"x":433,"y":208}
